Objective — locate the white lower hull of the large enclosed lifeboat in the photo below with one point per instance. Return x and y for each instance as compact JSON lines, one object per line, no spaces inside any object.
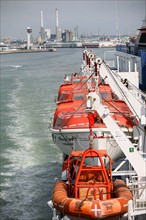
{"x":68,"y":140}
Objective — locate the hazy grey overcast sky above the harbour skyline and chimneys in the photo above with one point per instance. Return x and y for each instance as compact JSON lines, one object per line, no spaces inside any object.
{"x":90,"y":16}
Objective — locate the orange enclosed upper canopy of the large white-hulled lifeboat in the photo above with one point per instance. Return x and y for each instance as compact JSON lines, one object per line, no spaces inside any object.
{"x":71,"y":104}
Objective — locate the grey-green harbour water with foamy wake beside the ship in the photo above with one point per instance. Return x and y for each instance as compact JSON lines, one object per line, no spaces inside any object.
{"x":30,"y":162}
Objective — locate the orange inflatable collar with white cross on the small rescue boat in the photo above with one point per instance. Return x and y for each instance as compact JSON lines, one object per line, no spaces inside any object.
{"x":91,"y":209}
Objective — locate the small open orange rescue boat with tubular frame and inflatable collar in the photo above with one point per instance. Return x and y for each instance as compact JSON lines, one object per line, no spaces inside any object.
{"x":88,"y":191}
